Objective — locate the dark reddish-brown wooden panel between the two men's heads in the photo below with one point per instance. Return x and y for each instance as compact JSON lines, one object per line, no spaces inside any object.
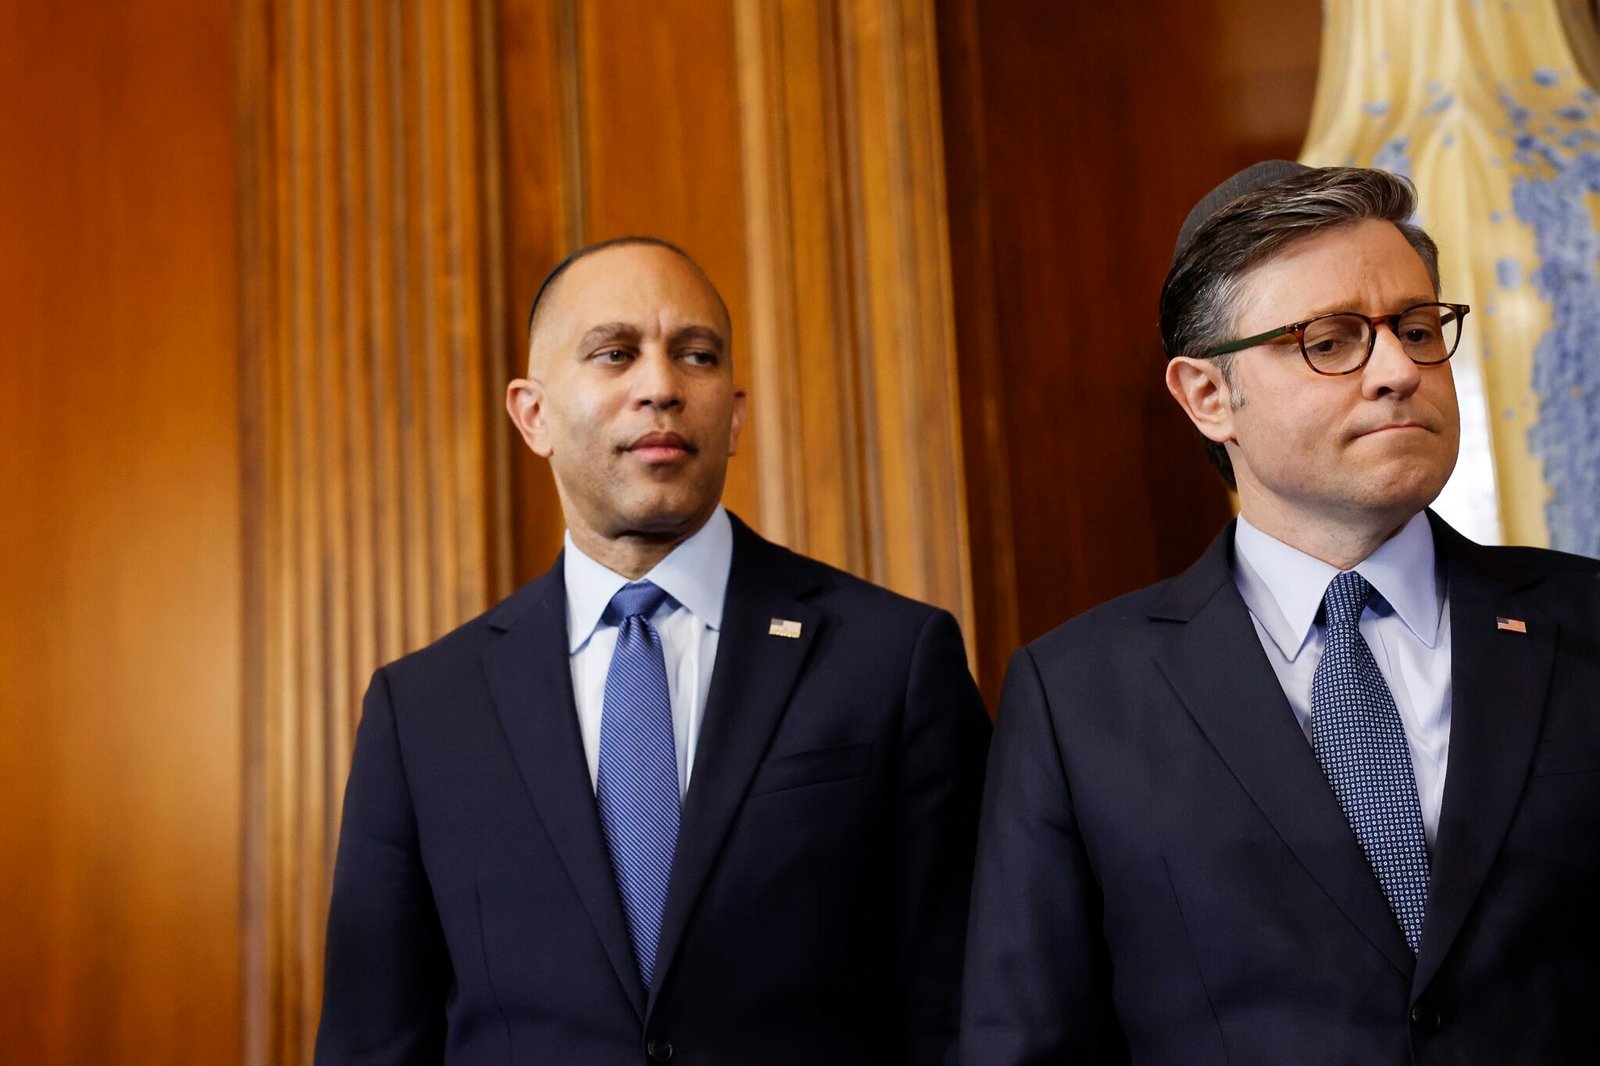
{"x":1078,"y":137}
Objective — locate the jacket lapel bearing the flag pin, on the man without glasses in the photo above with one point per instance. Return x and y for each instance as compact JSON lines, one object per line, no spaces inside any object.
{"x":751,"y":683}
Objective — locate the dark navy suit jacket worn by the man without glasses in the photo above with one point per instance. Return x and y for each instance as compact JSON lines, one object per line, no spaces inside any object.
{"x":818,"y":900}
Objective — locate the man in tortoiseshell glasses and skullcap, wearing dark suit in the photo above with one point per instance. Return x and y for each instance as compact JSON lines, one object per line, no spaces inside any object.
{"x":1332,"y":795}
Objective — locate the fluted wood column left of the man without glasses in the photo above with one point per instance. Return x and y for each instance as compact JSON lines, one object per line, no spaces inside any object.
{"x":374,"y":486}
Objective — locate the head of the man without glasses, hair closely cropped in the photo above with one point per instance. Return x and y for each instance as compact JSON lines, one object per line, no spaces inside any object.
{"x":633,"y":398}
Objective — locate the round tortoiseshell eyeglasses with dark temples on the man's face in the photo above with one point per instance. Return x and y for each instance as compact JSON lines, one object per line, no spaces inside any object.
{"x":1343,"y":342}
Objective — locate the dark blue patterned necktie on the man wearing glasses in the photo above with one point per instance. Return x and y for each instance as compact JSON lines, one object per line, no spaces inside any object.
{"x":1361,"y":745}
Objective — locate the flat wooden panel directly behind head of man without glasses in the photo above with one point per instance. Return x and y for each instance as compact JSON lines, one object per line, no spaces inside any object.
{"x":618,"y":119}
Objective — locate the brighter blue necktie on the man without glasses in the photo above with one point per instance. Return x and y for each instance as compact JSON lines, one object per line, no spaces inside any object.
{"x":638,"y":785}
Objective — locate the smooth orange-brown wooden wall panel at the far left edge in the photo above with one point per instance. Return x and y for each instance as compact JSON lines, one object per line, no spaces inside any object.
{"x":119,"y":537}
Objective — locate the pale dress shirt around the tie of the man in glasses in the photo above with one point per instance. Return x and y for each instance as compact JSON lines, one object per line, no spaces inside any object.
{"x":1407,"y":627}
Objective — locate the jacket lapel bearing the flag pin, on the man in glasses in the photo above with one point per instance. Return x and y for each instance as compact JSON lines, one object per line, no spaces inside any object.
{"x":1498,"y":691}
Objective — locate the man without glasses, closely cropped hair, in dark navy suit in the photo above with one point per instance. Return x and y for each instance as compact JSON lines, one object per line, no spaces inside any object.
{"x":689,"y":796}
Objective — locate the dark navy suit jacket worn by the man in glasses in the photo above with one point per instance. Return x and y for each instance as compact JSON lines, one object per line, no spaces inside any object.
{"x":1166,"y":876}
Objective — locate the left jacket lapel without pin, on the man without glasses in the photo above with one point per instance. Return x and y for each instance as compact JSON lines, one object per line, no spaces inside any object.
{"x":532,"y":683}
